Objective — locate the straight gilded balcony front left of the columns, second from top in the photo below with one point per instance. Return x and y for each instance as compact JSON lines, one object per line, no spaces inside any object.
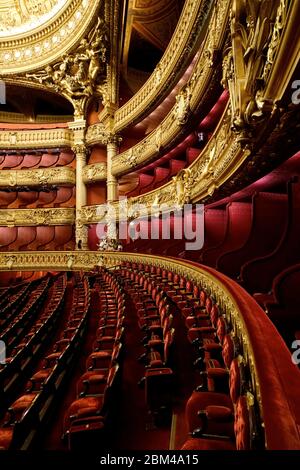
{"x":33,"y":178}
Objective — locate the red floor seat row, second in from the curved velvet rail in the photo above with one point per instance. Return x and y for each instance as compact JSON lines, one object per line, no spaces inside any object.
{"x":155,"y":320}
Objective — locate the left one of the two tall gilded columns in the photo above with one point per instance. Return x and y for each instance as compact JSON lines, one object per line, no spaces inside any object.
{"x":80,"y":150}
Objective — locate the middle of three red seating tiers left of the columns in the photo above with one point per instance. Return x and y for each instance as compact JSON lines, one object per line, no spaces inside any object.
{"x":52,"y":197}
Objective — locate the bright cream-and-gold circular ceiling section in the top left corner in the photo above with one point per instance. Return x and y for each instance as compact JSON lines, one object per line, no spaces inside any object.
{"x":34,"y":33}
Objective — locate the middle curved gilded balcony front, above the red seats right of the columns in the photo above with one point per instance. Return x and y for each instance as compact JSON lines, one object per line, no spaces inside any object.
{"x":201,"y":87}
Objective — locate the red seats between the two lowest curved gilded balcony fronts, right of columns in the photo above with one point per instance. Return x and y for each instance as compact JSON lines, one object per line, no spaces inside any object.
{"x":159,"y":173}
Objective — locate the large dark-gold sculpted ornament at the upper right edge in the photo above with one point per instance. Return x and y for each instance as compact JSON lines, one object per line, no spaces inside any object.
{"x":257,"y":32}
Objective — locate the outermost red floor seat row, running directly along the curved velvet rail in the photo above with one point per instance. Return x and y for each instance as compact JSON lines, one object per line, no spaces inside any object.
{"x":221,"y":412}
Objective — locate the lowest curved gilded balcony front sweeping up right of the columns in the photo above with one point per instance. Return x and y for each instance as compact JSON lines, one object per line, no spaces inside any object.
{"x":216,"y":163}
